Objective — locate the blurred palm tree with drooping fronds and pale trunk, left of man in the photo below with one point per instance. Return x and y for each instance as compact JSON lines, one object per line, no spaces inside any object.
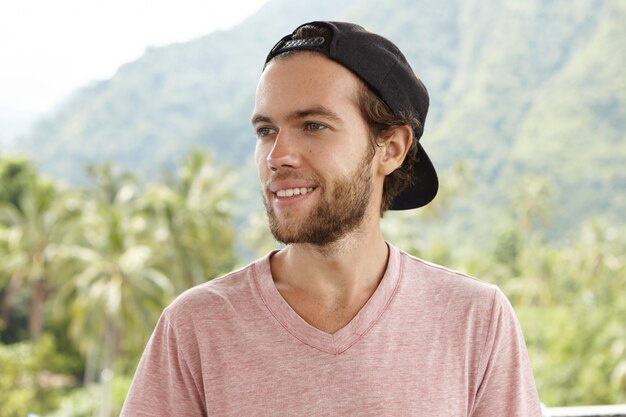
{"x":115,"y":293}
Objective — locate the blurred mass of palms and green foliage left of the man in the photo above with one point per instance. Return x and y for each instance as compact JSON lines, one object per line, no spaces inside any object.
{"x":96,"y":267}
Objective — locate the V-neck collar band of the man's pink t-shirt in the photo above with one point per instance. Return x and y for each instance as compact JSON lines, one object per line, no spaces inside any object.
{"x":348,"y":335}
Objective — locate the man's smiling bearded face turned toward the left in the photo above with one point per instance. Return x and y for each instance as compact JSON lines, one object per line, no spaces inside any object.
{"x":313,"y":152}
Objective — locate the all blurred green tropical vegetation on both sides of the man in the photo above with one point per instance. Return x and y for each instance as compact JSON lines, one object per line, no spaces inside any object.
{"x":87,"y":271}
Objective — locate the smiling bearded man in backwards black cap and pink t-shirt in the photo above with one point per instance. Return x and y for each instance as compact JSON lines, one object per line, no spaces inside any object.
{"x":339,"y":322}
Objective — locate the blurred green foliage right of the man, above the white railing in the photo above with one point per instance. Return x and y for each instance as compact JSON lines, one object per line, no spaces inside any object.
{"x":569,"y":300}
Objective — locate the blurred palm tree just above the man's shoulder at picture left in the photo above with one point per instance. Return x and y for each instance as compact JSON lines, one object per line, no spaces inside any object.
{"x":190,"y":218}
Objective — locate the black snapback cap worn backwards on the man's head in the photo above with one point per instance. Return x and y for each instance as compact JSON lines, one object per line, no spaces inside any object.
{"x":385,"y":70}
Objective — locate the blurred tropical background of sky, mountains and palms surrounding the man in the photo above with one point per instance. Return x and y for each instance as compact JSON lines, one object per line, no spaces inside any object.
{"x":126,"y":175}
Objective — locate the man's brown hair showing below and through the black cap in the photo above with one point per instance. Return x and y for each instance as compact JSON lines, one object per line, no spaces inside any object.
{"x":381,"y":120}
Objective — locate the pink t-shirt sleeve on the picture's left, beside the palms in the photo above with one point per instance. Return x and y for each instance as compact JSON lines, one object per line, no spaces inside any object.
{"x":165,"y":384}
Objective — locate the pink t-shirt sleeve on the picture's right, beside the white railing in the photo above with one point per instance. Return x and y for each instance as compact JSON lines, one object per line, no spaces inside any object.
{"x":507,"y":388}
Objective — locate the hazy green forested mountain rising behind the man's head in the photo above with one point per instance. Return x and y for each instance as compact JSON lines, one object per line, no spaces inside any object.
{"x":519,"y":90}
